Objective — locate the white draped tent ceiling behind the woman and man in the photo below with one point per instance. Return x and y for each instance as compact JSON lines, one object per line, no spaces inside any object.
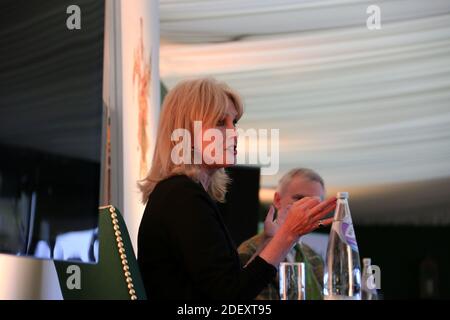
{"x":366,"y":108}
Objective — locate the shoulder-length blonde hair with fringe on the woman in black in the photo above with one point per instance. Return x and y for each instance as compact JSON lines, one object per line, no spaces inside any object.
{"x":190,"y":100}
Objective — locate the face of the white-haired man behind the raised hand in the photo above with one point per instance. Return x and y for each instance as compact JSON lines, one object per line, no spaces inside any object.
{"x":298,"y":188}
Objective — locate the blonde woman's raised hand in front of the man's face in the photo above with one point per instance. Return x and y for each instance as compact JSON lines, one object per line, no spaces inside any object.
{"x":305,"y":215}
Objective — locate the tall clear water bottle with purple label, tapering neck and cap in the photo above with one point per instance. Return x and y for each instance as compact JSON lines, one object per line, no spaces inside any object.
{"x":342,"y":276}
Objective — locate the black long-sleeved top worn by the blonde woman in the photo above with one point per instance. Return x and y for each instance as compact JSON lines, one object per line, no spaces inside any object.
{"x":186,"y":252}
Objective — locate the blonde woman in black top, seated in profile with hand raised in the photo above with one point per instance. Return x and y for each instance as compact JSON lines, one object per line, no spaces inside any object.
{"x":184,"y":248}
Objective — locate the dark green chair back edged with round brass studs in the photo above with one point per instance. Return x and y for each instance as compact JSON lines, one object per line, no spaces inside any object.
{"x":116,"y":276}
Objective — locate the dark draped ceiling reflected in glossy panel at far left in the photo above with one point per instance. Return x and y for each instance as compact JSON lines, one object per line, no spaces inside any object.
{"x":51,"y":78}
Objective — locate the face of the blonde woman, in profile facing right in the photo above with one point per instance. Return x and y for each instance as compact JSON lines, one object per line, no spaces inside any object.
{"x":221,"y":153}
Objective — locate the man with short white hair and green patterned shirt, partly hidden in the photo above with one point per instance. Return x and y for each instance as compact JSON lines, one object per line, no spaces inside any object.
{"x":294,"y":185}
